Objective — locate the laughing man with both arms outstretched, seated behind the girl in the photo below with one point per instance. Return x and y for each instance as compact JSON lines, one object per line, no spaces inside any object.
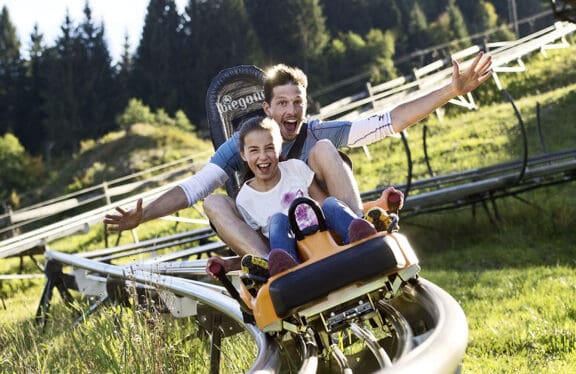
{"x":285,"y":102}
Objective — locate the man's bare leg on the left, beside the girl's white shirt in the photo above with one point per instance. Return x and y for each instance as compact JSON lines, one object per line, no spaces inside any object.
{"x":224,"y":216}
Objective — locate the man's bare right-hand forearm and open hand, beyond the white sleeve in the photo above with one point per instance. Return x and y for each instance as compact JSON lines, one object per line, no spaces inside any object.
{"x":407,"y":114}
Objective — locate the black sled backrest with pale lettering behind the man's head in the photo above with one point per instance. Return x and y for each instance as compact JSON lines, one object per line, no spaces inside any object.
{"x":234,"y":95}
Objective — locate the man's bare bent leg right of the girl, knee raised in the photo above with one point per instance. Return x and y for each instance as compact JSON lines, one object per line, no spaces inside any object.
{"x":335,"y":174}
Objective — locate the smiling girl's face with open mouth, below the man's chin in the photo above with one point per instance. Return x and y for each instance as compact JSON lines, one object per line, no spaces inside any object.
{"x":261,"y":154}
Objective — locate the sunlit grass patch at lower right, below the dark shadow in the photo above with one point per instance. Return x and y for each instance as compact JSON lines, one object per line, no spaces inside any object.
{"x":521,"y":316}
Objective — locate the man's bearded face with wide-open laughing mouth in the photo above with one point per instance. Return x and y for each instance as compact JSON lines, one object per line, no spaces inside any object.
{"x":288,"y":108}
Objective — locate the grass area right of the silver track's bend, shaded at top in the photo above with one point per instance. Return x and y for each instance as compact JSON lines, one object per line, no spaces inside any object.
{"x":515,"y":282}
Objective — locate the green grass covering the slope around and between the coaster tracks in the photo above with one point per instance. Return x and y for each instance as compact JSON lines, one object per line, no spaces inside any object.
{"x":515,"y":280}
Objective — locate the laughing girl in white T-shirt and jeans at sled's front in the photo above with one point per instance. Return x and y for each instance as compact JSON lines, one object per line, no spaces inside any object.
{"x":263,"y":200}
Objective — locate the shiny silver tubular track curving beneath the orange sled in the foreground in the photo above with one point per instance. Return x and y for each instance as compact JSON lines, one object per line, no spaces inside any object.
{"x":430,"y":327}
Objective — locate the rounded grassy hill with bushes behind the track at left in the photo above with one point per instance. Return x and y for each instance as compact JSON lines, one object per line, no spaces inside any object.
{"x":118,"y":154}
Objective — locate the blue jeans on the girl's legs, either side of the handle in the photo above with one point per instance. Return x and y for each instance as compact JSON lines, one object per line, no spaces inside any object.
{"x":338,"y":218}
